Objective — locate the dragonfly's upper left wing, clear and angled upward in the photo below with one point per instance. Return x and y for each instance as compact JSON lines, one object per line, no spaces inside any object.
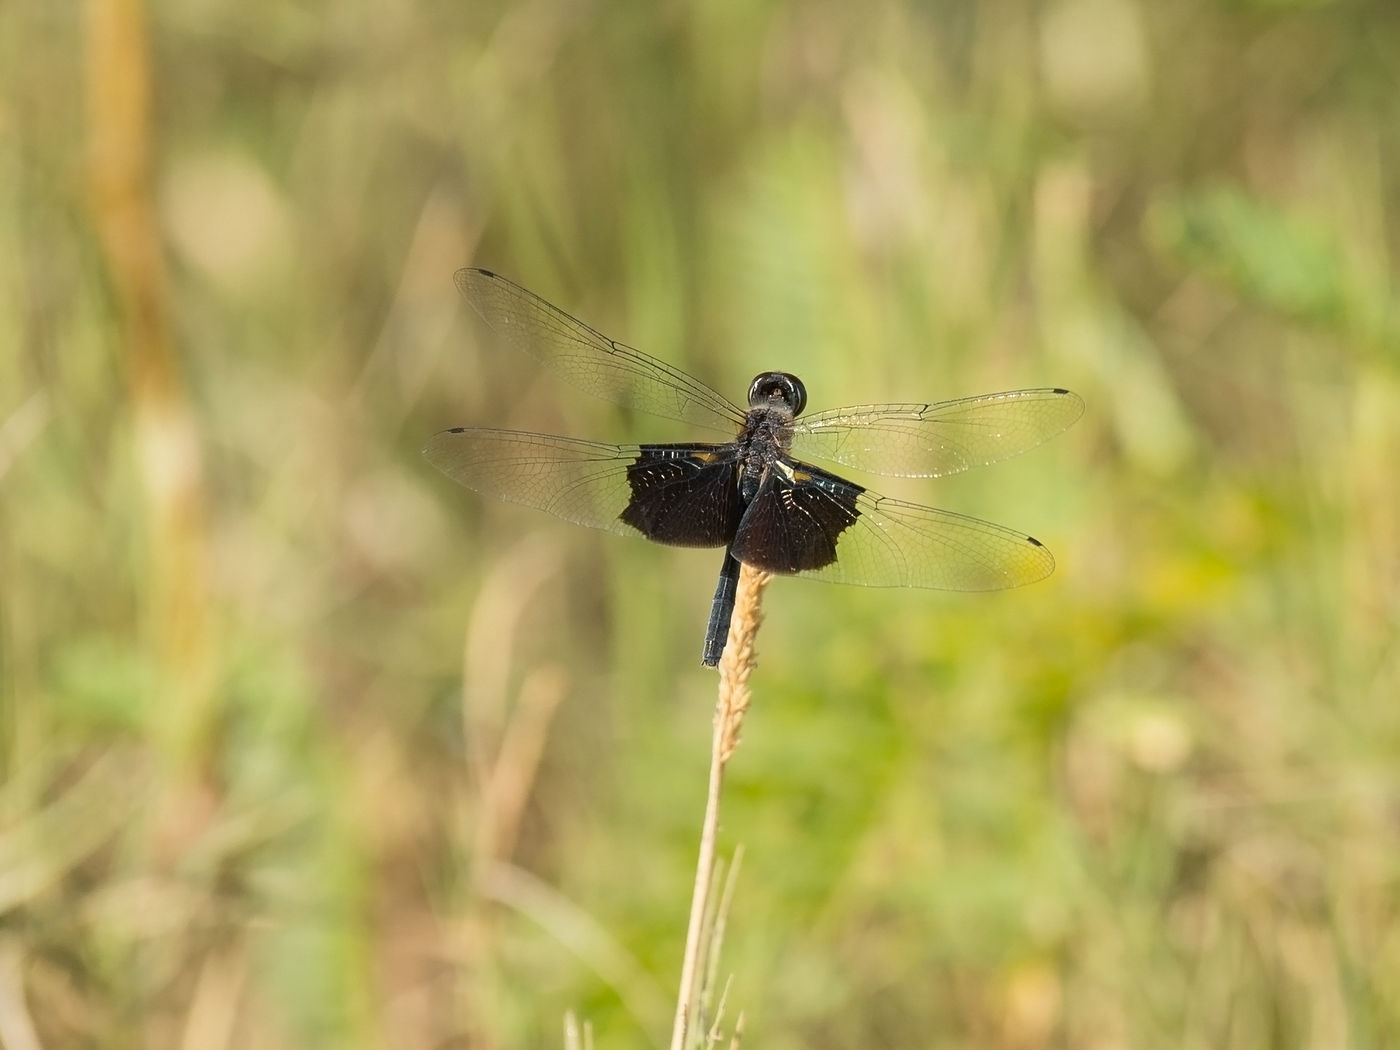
{"x":590,"y":360}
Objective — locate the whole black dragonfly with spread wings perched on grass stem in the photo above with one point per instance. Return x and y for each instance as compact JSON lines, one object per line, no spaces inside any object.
{"x":751,"y":489}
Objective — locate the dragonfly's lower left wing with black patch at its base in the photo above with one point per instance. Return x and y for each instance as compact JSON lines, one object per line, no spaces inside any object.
{"x":668,"y":493}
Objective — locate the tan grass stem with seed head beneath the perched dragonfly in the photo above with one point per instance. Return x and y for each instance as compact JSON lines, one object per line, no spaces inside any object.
{"x":736,"y":667}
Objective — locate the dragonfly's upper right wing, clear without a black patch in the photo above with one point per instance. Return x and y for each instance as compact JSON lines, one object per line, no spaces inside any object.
{"x":936,"y":440}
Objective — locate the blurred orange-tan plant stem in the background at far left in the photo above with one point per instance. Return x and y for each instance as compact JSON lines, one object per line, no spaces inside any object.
{"x":164,"y":428}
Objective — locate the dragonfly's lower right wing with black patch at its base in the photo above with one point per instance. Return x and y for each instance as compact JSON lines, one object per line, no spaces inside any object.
{"x":822,"y":526}
